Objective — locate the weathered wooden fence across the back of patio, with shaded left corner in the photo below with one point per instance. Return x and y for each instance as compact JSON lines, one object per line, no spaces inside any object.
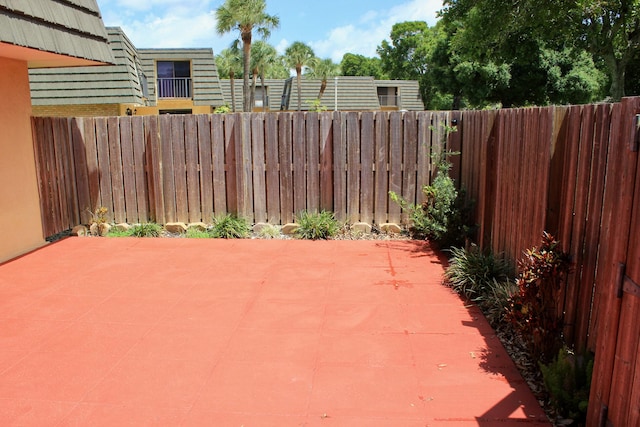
{"x":265,"y":167}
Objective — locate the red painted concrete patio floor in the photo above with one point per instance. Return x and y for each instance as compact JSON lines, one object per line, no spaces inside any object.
{"x":195,"y":332}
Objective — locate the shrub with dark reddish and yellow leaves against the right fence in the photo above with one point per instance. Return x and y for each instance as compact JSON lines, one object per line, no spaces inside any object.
{"x":533,"y":311}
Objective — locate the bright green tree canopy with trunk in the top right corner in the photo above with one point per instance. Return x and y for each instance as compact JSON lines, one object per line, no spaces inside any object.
{"x":609,"y":30}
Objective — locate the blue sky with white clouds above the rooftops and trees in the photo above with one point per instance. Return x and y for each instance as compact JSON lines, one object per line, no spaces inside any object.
{"x":331,"y":27}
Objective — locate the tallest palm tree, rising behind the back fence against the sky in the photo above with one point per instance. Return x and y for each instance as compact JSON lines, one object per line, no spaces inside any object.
{"x":245,"y":16}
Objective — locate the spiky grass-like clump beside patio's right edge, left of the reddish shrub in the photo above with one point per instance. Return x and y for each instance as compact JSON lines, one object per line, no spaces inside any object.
{"x":474,"y":272}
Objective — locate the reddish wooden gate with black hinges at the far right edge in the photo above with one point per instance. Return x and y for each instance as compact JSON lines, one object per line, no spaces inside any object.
{"x":615,"y":389}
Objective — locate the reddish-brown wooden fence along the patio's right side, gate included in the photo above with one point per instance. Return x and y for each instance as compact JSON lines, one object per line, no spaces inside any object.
{"x":573,"y":171}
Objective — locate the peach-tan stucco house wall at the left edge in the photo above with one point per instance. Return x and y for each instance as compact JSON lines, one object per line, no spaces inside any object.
{"x":20,"y":223}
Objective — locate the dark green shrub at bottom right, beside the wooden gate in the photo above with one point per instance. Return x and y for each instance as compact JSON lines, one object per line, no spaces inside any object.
{"x":568,"y":381}
